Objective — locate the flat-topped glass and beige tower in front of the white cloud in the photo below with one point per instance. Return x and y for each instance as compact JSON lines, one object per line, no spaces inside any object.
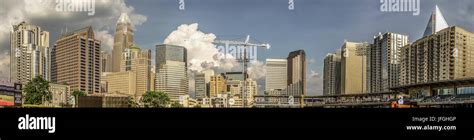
{"x":171,"y":70}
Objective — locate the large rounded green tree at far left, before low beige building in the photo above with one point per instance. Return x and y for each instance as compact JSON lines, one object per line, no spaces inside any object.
{"x":37,"y":91}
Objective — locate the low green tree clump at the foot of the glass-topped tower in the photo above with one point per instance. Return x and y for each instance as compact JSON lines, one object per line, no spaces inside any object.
{"x":155,"y":99}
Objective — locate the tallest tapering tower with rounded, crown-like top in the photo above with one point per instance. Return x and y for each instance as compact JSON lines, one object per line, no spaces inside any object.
{"x":123,"y":39}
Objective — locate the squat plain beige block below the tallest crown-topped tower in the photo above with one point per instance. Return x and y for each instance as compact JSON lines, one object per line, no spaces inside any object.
{"x":121,"y":83}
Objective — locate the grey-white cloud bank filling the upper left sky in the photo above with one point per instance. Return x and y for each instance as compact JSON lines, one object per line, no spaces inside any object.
{"x":43,"y":14}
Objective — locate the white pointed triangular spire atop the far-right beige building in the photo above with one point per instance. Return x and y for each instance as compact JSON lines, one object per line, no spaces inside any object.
{"x":436,"y":22}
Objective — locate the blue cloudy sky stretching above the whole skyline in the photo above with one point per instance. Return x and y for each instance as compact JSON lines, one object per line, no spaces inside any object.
{"x":317,"y":26}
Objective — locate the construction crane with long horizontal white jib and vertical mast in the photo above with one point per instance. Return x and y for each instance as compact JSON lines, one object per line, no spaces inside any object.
{"x":246,"y":44}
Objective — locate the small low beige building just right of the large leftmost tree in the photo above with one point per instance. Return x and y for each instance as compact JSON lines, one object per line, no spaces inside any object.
{"x":60,"y":94}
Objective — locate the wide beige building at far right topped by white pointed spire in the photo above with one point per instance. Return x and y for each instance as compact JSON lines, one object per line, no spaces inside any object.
{"x":444,"y":53}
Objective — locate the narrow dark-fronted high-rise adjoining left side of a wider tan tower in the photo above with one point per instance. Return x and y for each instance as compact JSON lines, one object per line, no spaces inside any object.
{"x":332,"y":74}
